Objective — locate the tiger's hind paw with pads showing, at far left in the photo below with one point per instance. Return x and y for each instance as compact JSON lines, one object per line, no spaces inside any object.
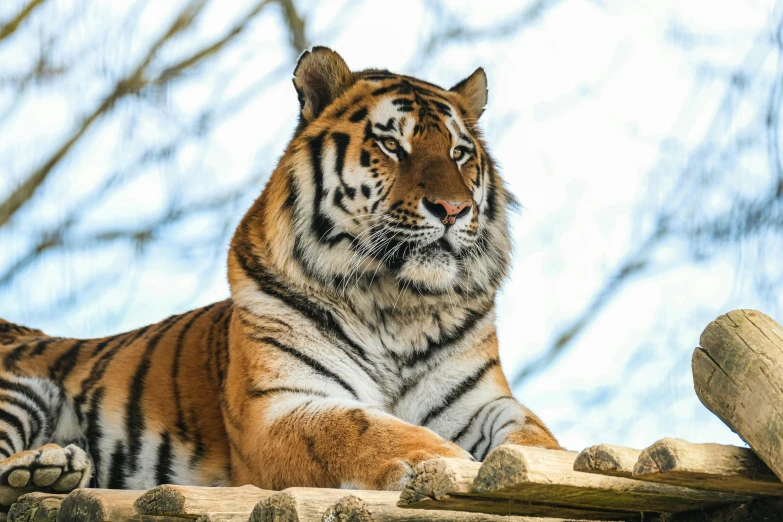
{"x":50,"y":468}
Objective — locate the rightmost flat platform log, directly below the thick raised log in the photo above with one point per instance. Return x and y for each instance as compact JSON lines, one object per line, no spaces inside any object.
{"x":715,"y":467}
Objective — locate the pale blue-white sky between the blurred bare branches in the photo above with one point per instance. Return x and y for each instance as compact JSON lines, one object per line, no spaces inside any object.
{"x":579,"y":107}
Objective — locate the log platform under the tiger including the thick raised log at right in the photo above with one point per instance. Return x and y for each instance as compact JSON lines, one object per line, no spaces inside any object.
{"x":741,"y":355}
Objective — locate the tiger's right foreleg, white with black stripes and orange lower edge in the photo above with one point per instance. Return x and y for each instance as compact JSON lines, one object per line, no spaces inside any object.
{"x":468,"y":400}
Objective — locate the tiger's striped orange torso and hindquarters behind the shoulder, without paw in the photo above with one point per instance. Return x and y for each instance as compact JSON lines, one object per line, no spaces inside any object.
{"x":144,"y":404}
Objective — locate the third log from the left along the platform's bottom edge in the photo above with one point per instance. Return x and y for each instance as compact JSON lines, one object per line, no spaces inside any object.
{"x":194,"y":501}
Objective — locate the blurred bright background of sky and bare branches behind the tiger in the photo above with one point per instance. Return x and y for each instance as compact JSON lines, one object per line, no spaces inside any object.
{"x":642,"y":138}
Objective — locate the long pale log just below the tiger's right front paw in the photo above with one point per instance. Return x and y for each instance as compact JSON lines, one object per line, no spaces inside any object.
{"x":547,"y":477}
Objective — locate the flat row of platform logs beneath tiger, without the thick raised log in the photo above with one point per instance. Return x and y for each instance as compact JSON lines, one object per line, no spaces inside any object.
{"x":671,"y":480}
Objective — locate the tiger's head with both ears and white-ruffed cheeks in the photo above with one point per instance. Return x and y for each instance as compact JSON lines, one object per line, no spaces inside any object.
{"x":386,"y":181}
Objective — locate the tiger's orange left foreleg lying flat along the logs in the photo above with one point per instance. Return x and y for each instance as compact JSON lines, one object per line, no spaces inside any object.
{"x":304,"y":439}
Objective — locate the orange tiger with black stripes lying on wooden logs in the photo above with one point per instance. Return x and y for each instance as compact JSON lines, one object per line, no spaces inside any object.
{"x":359,"y":339}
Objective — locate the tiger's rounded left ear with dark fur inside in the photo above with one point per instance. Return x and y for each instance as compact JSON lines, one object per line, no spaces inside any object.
{"x":320,"y":77}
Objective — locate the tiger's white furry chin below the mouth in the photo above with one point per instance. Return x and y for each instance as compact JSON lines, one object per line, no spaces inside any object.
{"x":431,"y":269}
